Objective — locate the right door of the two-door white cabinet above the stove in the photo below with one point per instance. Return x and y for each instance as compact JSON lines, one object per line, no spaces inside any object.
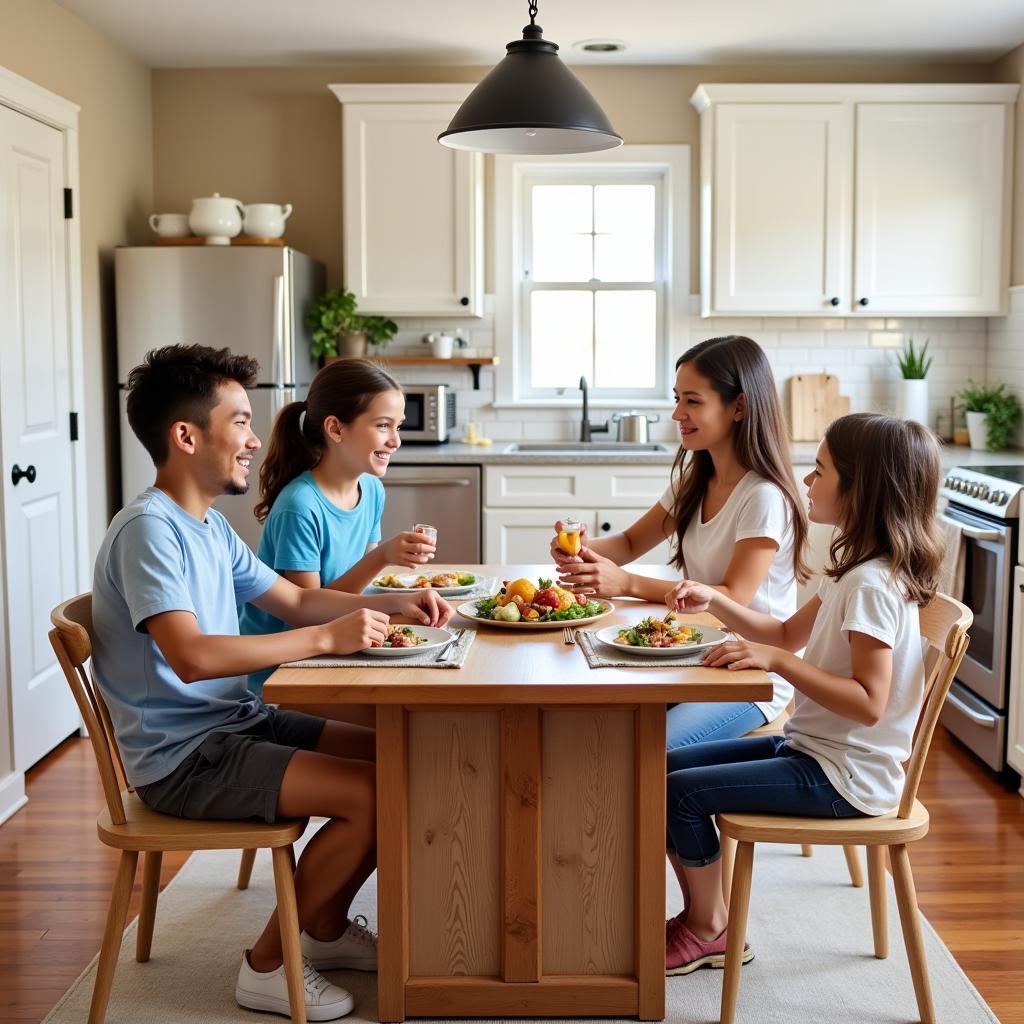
{"x":929,"y":196}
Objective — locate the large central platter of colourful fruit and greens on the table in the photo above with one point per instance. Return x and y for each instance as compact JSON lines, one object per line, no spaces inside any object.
{"x":535,"y":605}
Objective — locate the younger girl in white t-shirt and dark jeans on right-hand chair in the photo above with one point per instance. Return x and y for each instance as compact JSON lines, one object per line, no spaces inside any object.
{"x":860,"y":685}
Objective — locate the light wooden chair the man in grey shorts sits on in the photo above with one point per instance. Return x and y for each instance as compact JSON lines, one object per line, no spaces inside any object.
{"x":127,"y":825}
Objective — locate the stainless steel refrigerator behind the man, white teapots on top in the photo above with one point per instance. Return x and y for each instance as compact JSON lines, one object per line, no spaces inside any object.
{"x":251,"y":300}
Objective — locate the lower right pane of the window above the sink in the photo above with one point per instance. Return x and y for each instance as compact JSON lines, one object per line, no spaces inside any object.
{"x":625,"y":339}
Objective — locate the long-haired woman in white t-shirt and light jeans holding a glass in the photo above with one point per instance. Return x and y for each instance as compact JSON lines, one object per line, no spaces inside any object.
{"x":732,"y":511}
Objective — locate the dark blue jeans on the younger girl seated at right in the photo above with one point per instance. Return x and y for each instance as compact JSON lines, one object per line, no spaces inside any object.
{"x":756,"y":776}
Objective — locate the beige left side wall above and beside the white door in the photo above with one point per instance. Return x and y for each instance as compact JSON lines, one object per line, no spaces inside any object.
{"x":48,"y":46}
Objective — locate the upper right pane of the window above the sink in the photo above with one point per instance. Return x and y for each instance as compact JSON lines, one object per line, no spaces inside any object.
{"x":624,"y":221}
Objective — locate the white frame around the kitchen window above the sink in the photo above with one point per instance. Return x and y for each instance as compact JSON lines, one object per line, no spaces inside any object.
{"x":670,"y":165}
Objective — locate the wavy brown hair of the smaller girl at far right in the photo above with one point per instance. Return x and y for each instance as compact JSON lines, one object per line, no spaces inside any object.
{"x":889,"y":474}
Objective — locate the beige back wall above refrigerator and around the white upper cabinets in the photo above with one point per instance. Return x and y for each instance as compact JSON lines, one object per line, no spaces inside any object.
{"x":275,"y":135}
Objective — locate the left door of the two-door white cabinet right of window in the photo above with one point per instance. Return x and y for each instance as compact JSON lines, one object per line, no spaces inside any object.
{"x":780,"y":232}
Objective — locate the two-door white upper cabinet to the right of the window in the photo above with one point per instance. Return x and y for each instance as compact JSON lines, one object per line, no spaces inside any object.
{"x":856,"y":200}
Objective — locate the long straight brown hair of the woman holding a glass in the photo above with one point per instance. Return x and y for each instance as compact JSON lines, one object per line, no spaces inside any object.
{"x":738,"y":366}
